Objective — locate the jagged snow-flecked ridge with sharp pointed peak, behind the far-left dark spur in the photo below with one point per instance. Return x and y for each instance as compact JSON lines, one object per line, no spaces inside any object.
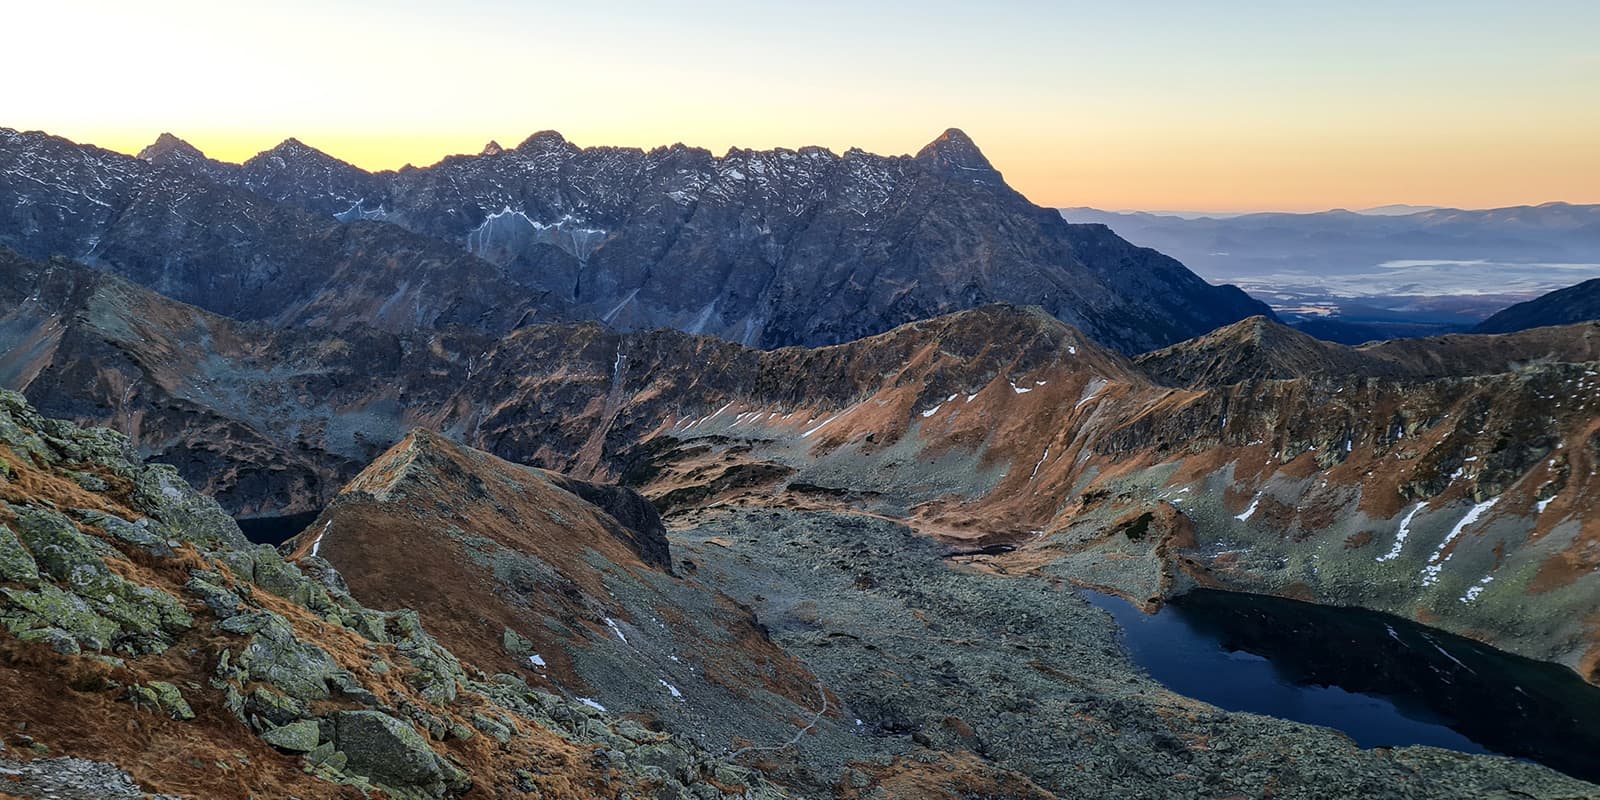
{"x":762,"y":247}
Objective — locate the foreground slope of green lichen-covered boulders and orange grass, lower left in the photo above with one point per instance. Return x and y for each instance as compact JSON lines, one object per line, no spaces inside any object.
{"x":148,"y":647}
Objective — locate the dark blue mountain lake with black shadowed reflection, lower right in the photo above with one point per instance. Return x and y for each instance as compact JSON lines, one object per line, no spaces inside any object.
{"x":1380,"y":679}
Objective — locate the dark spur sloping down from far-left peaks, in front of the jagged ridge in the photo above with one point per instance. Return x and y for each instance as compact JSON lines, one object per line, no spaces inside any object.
{"x":233,"y":252}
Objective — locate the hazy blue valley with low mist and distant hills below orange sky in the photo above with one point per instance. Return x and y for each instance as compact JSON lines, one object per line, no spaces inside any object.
{"x":1394,"y":271}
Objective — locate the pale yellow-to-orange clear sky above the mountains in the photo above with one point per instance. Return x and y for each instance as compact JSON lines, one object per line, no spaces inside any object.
{"x":1161,"y":106}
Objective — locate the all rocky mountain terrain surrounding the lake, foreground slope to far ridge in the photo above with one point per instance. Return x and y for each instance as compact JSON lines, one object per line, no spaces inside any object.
{"x":606,"y":473}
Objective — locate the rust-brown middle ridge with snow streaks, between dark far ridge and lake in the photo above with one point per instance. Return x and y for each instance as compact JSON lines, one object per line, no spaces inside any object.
{"x":993,"y":428}
